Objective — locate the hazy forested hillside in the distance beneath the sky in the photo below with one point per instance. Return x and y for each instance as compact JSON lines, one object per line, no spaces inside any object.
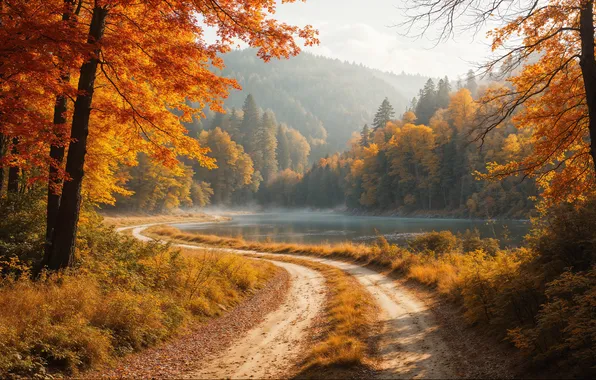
{"x":323,"y":98}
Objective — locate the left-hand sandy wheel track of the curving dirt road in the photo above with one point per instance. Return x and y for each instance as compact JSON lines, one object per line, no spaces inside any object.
{"x":273,"y":347}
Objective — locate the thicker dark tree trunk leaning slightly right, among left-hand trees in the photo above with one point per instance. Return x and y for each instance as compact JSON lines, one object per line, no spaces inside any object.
{"x":70,"y":204}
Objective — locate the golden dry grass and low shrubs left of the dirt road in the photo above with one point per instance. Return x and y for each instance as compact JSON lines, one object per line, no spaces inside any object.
{"x":125,"y":296}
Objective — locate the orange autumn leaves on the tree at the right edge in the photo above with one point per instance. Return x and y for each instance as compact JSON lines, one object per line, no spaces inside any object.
{"x":551,"y":89}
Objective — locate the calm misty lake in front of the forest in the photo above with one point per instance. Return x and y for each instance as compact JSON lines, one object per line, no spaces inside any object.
{"x":319,"y":227}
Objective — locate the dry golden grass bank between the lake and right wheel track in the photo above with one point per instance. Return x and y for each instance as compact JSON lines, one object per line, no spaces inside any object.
{"x":460,"y":276}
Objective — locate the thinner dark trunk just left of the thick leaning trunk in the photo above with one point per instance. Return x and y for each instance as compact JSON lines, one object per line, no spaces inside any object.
{"x":57,"y":151}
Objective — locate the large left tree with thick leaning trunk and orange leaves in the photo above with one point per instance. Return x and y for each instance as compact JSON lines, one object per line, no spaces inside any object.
{"x":152,"y":58}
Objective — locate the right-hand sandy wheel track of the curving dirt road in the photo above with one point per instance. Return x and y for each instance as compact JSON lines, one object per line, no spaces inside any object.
{"x":409,"y":344}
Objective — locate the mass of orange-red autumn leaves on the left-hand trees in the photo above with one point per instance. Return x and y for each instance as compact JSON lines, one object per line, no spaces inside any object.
{"x":154,"y":59}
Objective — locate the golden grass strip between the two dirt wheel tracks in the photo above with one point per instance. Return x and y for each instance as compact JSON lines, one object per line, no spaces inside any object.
{"x":350,"y":317}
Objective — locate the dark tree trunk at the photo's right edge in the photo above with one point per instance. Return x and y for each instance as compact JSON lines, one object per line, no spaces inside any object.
{"x":588,"y":66}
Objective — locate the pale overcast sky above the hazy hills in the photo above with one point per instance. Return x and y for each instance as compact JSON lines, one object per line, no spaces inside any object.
{"x":361,"y":31}
